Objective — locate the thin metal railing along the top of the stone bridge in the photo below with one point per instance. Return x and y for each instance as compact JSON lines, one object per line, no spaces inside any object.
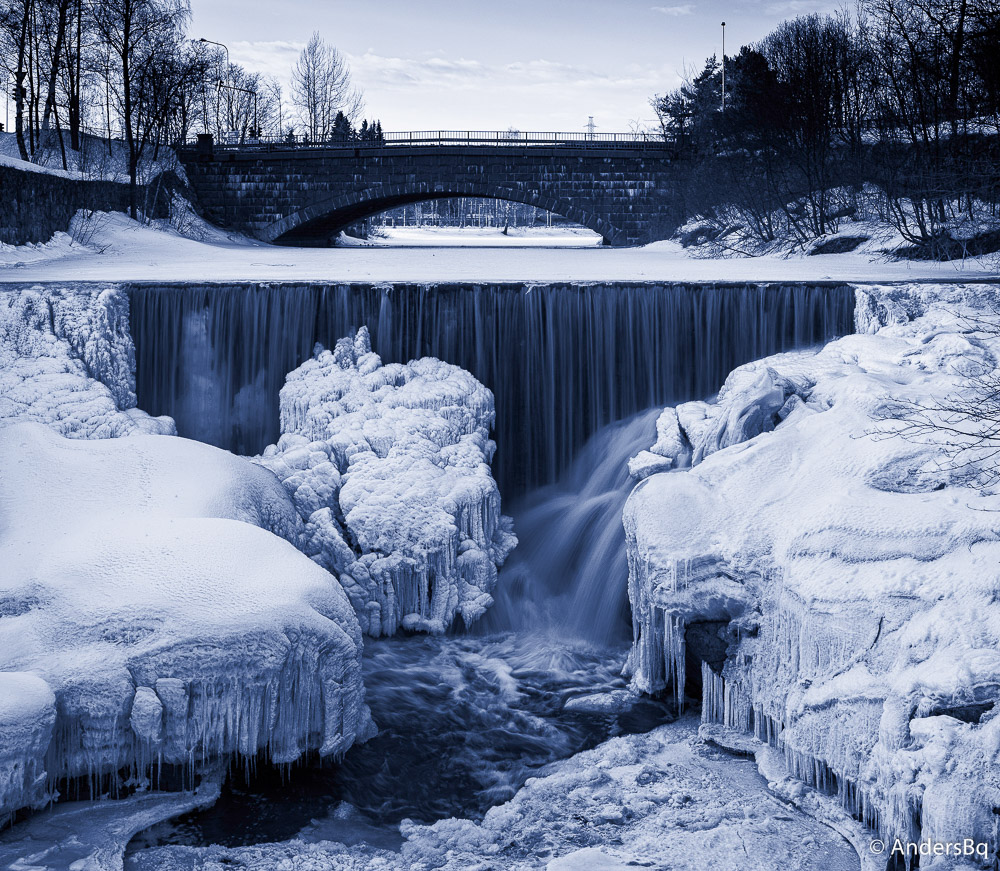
{"x":430,"y":138}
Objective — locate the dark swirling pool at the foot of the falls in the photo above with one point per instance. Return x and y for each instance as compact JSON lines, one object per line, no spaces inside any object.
{"x":463,"y":722}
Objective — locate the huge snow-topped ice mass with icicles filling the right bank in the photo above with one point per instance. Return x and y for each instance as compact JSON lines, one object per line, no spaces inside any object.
{"x":835,"y":575}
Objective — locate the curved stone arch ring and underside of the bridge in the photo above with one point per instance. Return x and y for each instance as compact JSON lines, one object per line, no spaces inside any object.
{"x":321,"y":221}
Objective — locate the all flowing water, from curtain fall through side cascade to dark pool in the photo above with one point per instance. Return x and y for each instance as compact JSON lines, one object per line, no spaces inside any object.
{"x":579,"y":373}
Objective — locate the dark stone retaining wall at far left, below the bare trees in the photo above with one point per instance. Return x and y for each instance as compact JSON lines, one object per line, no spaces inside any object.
{"x":35,"y":205}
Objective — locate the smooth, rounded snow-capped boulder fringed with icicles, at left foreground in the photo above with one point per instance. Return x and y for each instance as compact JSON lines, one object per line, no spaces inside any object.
{"x":153,"y":609}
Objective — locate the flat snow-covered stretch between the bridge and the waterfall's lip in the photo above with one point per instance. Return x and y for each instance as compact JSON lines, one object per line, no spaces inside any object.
{"x":122,"y":250}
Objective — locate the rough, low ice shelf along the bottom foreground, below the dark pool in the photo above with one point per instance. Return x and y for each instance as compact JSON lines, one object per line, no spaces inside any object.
{"x":659,"y":800}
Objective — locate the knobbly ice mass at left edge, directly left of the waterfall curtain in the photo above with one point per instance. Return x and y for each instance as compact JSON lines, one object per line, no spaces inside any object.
{"x":67,"y":360}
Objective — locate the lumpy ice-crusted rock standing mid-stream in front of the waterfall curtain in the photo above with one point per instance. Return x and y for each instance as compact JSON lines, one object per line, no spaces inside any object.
{"x":389,"y":468}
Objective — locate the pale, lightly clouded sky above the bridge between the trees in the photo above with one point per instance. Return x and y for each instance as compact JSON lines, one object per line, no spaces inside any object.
{"x":476,"y":65}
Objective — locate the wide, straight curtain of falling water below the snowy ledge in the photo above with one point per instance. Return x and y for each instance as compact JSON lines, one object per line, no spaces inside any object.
{"x":563,"y":360}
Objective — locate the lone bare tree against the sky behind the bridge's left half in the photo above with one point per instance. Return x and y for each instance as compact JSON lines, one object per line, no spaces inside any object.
{"x":322,"y":88}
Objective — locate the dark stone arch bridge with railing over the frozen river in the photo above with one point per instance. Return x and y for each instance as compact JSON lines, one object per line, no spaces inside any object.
{"x":619,"y":185}
